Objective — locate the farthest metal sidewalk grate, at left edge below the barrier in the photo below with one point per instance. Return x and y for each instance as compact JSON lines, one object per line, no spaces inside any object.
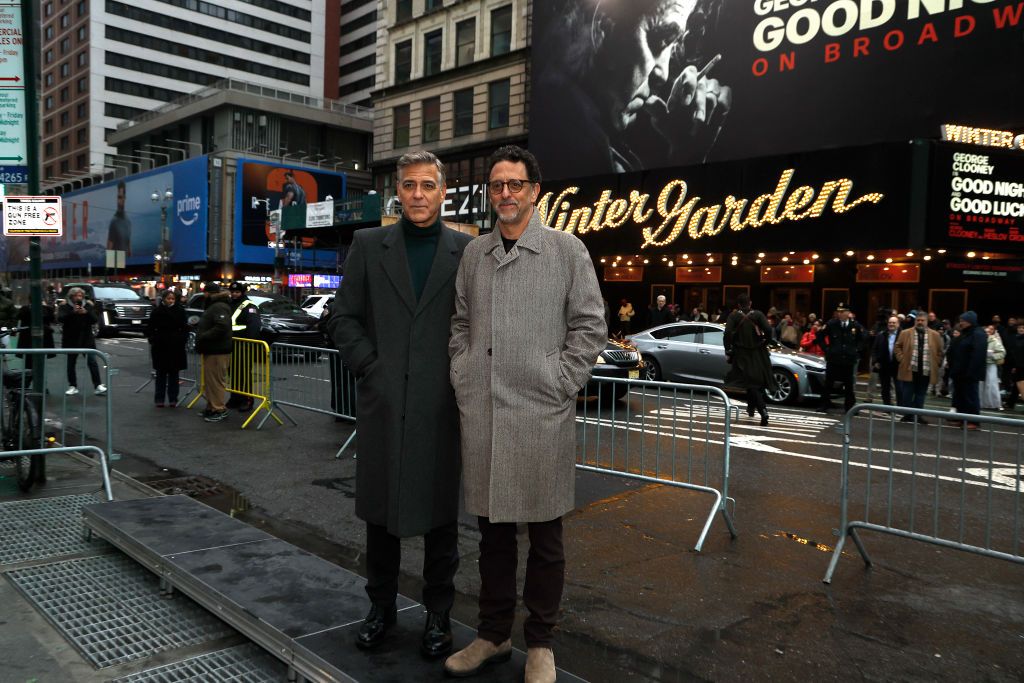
{"x":45,"y":528}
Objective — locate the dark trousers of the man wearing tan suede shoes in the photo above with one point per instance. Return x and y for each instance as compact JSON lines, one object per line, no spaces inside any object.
{"x":545,"y":578}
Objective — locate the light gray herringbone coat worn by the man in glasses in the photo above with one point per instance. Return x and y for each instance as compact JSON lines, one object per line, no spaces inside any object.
{"x":528,"y":328}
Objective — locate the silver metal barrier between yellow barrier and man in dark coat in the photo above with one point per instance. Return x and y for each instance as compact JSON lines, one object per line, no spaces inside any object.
{"x":315,"y":379}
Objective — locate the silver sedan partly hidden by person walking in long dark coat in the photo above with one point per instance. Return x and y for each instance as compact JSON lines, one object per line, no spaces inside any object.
{"x":695,"y":354}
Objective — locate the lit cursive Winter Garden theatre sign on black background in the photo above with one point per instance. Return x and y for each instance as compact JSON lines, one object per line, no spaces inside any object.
{"x":742,"y":206}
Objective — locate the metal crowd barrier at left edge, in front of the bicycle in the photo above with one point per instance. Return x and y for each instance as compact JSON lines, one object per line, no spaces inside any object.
{"x":53,"y":417}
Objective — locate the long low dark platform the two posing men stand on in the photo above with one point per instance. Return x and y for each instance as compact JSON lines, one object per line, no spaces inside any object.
{"x":300,"y":608}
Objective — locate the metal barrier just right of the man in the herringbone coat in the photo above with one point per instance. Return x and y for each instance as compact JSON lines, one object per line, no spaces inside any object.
{"x":673,"y":435}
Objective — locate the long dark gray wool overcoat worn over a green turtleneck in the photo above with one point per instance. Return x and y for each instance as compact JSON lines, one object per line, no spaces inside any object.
{"x":408,"y":471}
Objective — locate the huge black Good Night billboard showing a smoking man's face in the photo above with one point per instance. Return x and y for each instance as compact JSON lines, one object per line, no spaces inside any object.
{"x":625,"y":86}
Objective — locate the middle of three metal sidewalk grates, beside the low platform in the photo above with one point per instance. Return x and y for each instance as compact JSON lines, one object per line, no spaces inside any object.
{"x":111,"y":610}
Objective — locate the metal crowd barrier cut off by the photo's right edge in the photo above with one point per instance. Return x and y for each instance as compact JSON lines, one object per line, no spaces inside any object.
{"x":944,"y":483}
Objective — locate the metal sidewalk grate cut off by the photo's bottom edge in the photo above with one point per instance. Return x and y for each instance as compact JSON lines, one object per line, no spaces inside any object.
{"x":245,"y":664}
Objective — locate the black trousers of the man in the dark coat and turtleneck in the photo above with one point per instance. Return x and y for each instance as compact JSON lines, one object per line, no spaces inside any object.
{"x":441,"y":561}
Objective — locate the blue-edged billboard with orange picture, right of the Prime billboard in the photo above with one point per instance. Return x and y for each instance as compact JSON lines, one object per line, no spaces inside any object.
{"x":265,"y":188}
